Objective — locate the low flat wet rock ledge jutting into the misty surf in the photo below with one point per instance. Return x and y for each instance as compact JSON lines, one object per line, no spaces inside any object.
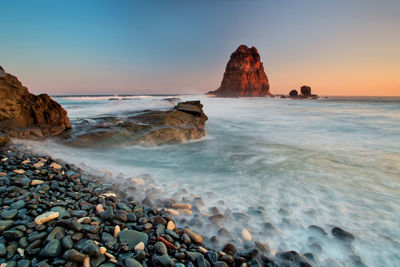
{"x":148,"y":128}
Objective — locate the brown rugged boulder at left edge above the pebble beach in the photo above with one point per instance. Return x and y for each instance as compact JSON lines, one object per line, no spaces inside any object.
{"x":25,"y":115}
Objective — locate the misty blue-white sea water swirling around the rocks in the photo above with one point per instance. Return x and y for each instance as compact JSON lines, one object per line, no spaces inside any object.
{"x":291,"y":163}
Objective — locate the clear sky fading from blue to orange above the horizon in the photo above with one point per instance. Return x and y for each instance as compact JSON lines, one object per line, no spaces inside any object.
{"x":341,"y":47}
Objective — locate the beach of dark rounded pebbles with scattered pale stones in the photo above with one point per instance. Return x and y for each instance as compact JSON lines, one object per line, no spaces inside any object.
{"x":54,"y":214}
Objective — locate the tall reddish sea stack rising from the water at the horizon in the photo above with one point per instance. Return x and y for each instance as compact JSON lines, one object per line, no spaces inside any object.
{"x":244,"y":75}
